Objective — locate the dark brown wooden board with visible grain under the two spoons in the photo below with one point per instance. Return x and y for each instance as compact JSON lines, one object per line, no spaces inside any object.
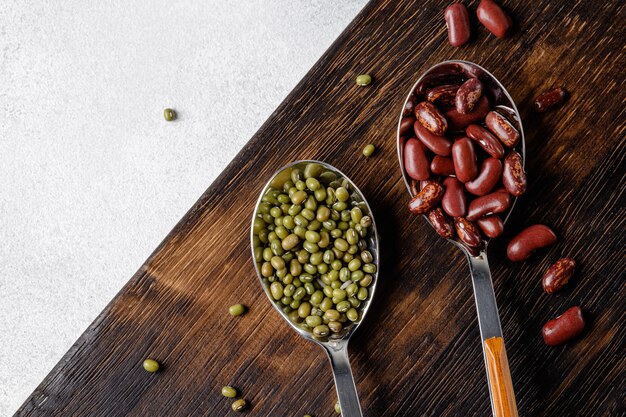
{"x":418,"y":352}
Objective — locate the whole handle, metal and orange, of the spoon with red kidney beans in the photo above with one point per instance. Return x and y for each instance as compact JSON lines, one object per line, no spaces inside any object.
{"x":498,"y":372}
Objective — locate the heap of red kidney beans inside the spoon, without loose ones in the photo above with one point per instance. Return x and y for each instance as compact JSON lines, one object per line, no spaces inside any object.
{"x":462,"y":154}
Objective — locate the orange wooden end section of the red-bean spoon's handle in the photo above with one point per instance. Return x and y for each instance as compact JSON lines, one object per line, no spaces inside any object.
{"x":500,"y":381}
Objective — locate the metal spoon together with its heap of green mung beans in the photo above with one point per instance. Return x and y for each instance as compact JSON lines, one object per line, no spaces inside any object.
{"x":315,"y":249}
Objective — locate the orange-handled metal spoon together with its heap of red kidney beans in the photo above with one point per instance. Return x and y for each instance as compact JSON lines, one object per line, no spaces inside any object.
{"x":461,"y":150}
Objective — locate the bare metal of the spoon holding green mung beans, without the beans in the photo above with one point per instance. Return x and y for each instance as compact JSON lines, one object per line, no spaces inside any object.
{"x":335,"y":345}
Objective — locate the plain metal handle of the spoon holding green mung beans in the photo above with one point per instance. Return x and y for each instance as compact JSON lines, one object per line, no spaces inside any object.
{"x":344,"y":381}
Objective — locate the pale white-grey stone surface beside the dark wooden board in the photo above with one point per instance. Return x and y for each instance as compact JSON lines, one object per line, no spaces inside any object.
{"x":91,"y":176}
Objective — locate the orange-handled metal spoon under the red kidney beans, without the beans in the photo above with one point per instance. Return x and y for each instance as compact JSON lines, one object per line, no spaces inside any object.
{"x":498,"y":373}
